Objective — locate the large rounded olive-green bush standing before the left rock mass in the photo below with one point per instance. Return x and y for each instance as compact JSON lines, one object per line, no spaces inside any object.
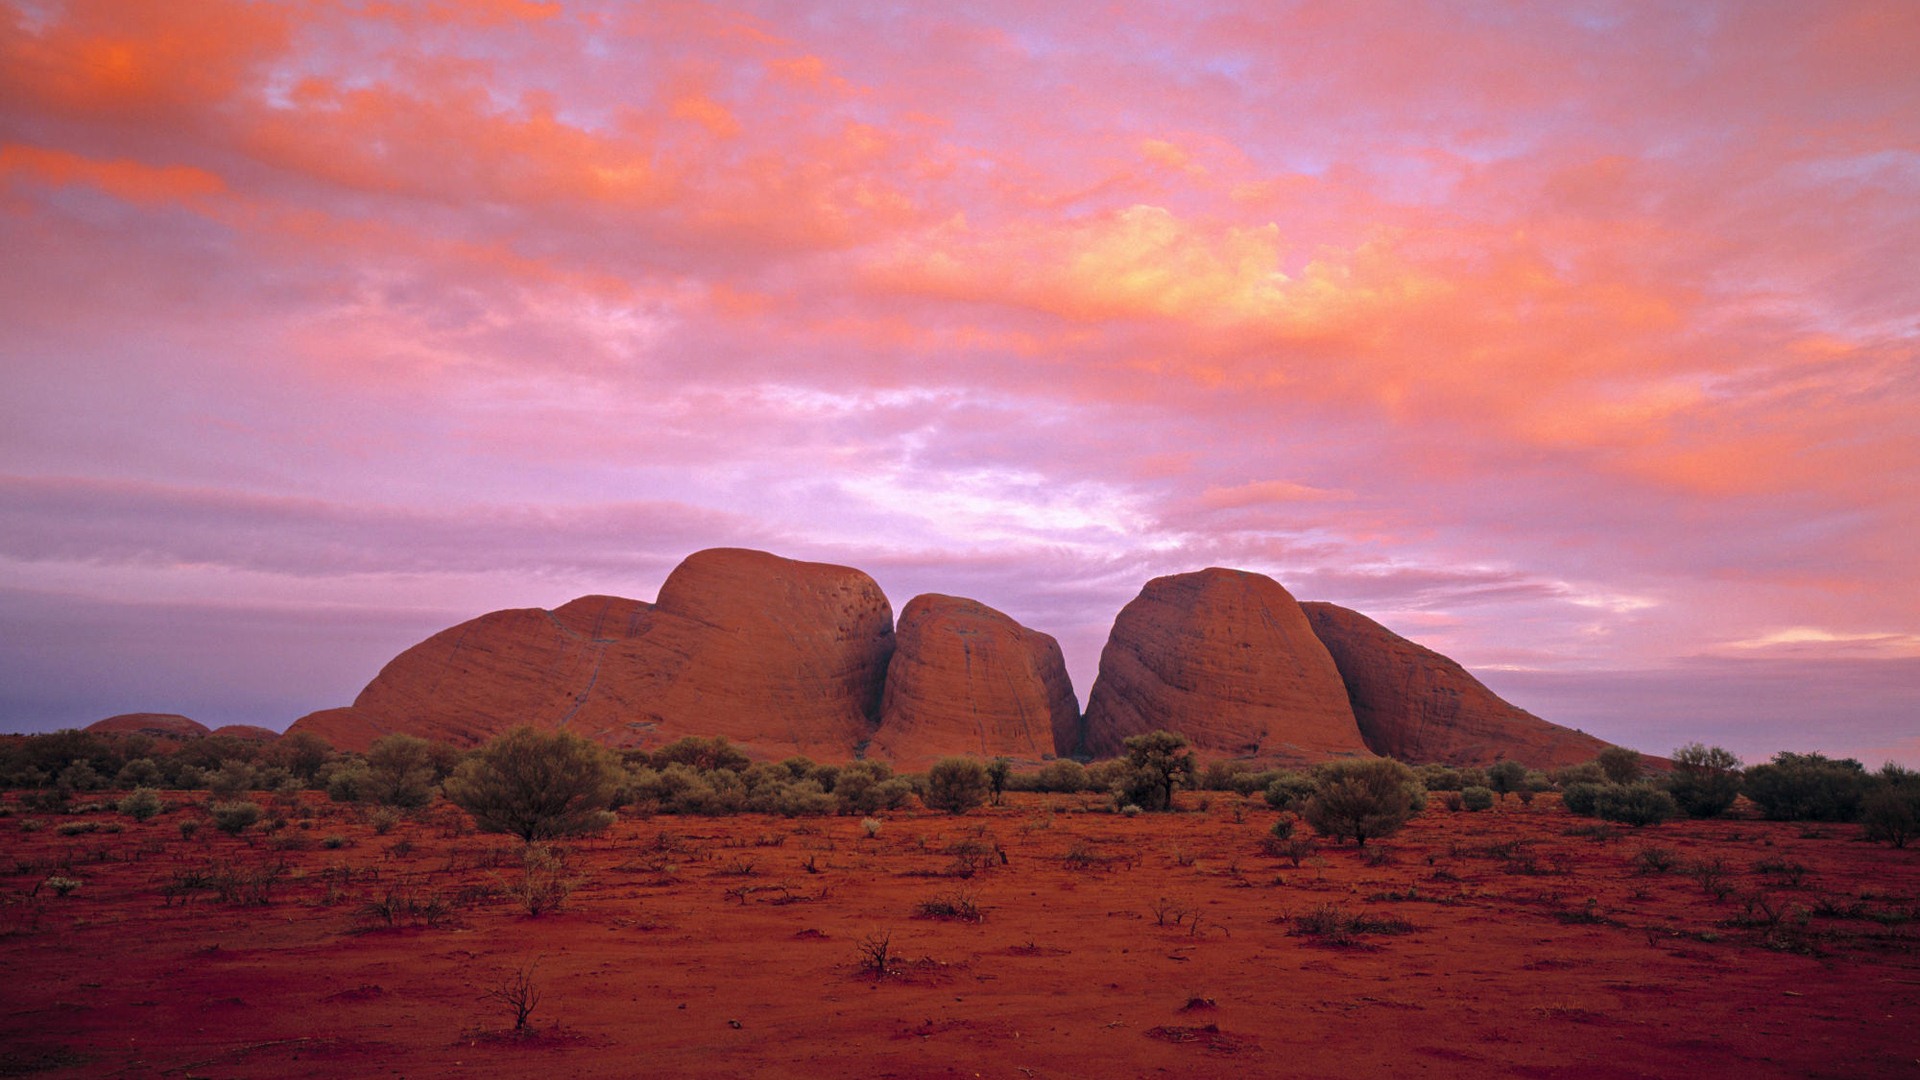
{"x":539,"y":785}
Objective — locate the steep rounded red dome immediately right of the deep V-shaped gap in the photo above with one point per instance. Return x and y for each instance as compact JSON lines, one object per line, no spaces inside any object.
{"x":1228,"y":660}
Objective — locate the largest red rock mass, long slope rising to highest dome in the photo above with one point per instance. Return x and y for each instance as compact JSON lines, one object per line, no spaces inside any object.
{"x":779,"y":656}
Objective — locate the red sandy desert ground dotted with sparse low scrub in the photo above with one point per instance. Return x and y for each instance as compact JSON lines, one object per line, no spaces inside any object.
{"x":1514,"y":943}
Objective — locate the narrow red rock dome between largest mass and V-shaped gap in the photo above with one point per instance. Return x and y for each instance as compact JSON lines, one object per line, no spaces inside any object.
{"x":971,"y":681}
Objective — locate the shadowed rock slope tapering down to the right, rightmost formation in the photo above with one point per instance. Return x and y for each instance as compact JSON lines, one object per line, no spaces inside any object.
{"x":1420,"y":706}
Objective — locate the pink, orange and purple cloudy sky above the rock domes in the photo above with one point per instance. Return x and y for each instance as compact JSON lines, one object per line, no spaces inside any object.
{"x":1575,"y":341}
